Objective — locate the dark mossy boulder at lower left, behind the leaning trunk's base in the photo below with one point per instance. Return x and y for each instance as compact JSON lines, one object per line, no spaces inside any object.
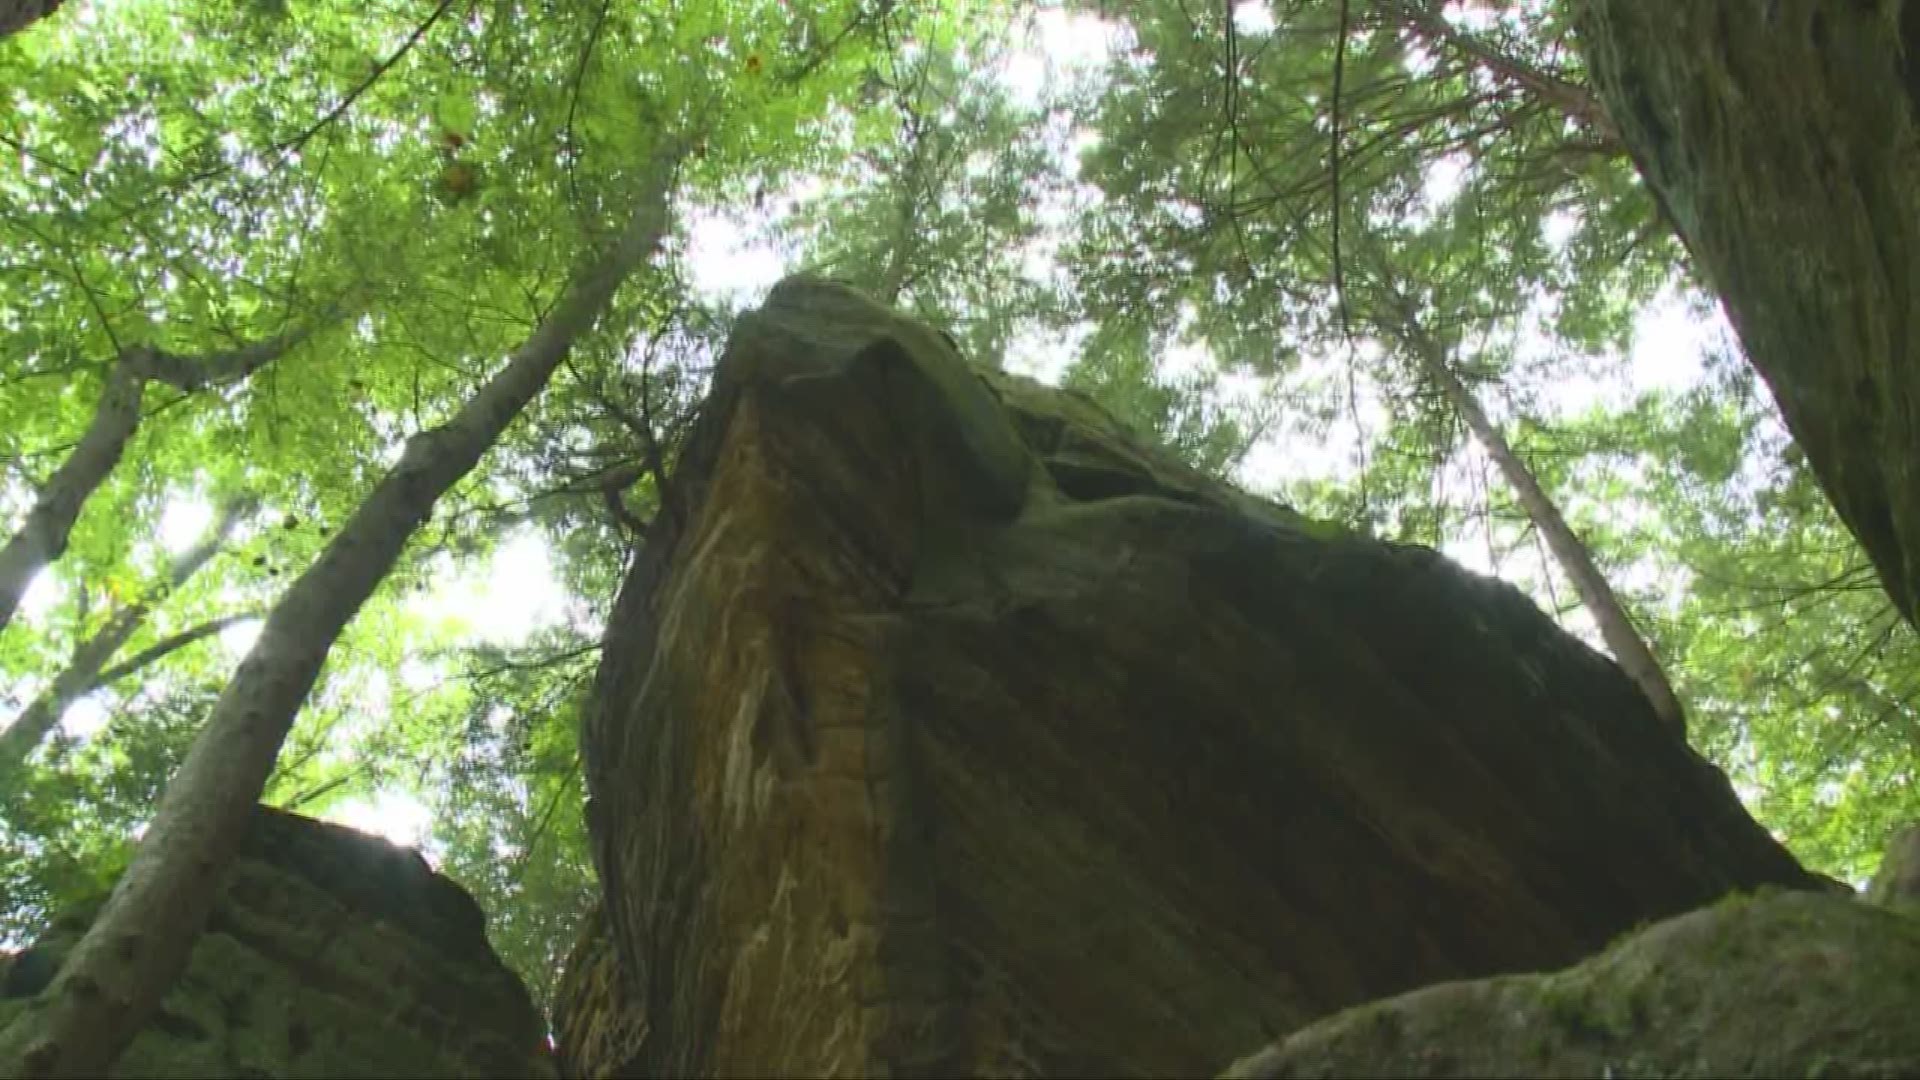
{"x":329,"y":954}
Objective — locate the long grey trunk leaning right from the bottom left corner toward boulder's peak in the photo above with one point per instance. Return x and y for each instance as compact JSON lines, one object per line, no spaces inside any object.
{"x":141,"y":941}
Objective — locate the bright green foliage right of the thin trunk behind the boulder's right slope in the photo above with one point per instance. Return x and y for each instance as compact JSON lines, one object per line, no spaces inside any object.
{"x":1798,"y":668}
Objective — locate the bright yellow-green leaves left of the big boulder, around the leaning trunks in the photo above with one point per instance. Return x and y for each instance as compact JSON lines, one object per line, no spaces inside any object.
{"x":421,"y":178}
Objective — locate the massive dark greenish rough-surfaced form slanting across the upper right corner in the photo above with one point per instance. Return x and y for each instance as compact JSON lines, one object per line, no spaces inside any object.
{"x":1783,"y":141}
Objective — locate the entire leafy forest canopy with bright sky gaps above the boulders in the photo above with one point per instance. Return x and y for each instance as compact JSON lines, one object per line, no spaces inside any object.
{"x":1385,"y":260}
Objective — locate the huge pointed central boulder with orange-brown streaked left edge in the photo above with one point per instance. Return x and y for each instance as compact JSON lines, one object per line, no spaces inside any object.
{"x":946,"y":731}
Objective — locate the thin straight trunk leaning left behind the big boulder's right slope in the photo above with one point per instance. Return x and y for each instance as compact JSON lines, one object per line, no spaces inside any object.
{"x":1616,"y":627}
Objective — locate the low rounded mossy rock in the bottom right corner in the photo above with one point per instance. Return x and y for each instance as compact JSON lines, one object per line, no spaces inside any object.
{"x":1788,"y":985}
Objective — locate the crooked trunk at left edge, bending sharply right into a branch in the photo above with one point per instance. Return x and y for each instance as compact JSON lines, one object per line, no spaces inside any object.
{"x":43,"y":537}
